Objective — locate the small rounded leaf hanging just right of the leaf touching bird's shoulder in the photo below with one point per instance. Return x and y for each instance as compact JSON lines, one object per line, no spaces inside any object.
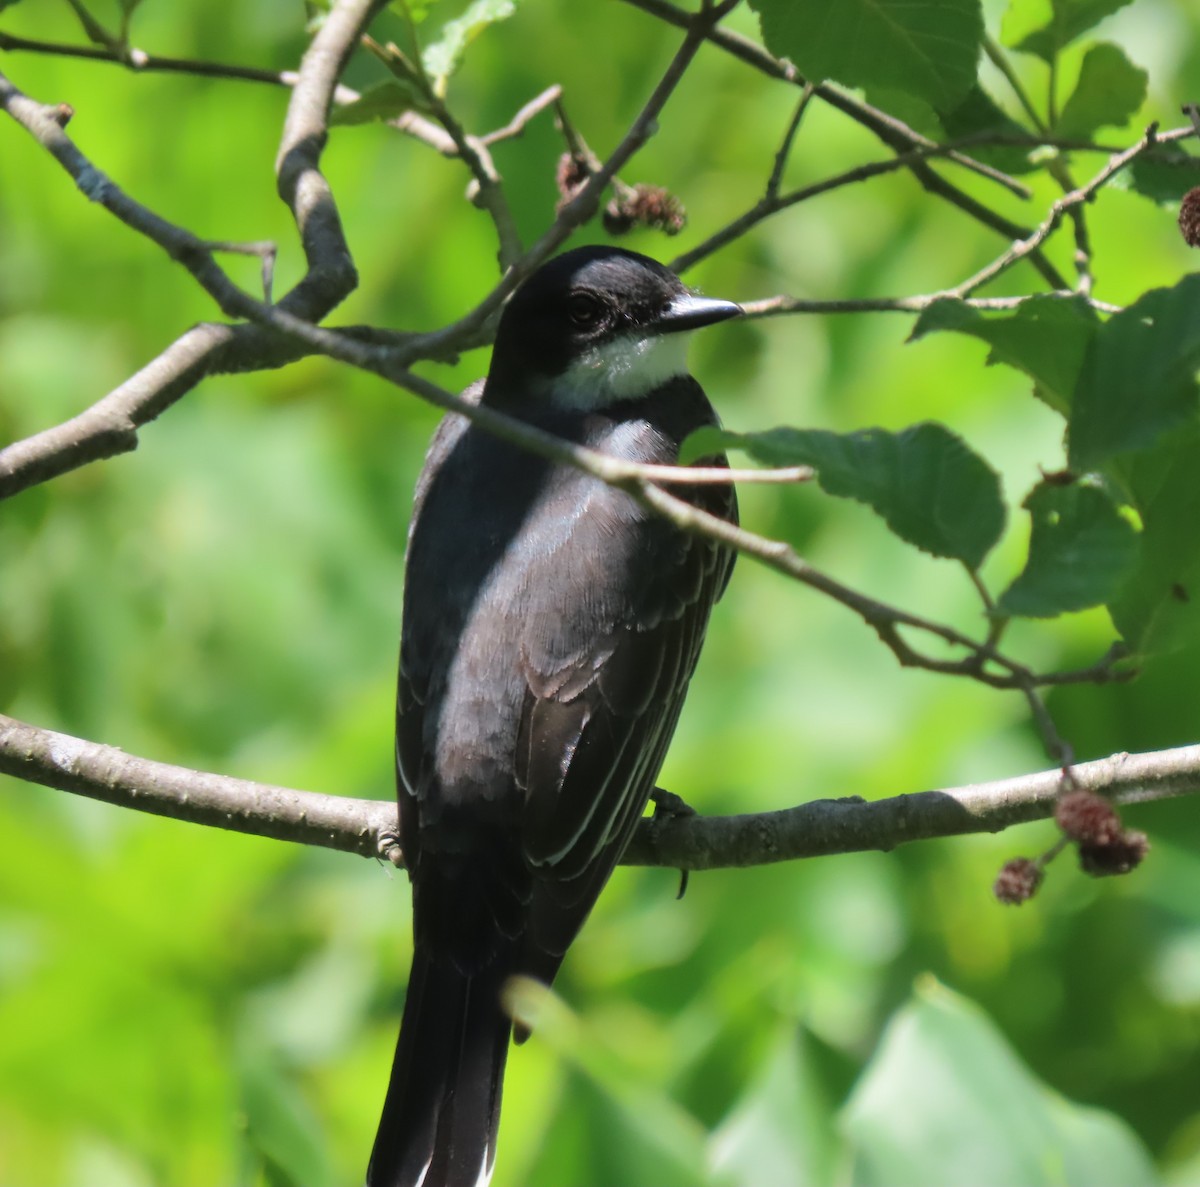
{"x":1081,"y":550}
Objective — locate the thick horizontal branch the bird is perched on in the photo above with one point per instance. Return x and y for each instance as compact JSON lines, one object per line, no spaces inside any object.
{"x":700,"y":843}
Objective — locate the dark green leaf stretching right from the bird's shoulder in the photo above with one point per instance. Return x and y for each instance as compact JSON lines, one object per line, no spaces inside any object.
{"x":927,"y":484}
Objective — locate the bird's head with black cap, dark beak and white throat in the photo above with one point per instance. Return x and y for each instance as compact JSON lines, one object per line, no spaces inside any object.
{"x":596,"y":327}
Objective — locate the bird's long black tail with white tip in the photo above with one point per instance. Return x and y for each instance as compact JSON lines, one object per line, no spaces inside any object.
{"x":443,"y":1105}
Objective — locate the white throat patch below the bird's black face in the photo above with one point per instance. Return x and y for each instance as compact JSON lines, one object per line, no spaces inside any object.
{"x":626,"y":369}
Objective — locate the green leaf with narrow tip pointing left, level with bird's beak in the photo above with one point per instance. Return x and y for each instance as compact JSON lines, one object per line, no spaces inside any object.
{"x":1045,"y":337}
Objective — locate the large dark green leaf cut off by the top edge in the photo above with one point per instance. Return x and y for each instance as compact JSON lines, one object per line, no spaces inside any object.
{"x":928,"y":50}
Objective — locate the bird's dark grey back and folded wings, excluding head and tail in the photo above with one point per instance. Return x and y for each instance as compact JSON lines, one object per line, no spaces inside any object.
{"x":551,"y":628}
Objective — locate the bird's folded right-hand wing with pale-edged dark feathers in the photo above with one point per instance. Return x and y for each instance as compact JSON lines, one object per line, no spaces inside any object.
{"x":607,"y":680}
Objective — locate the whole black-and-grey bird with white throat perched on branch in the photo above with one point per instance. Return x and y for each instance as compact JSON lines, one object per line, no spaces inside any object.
{"x":551,"y":625}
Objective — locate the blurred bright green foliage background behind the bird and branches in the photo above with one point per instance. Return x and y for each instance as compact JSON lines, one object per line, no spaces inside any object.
{"x":181,"y":1008}
